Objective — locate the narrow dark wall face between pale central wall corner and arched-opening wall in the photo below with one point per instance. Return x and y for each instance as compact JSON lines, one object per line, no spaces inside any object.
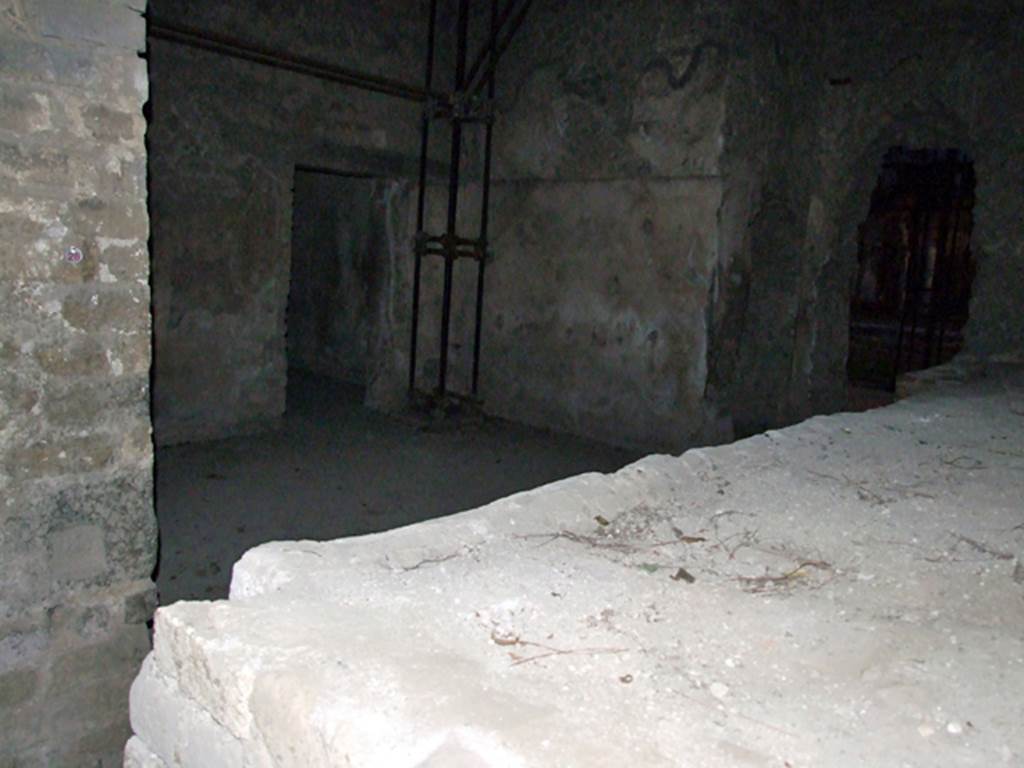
{"x":769,"y":166}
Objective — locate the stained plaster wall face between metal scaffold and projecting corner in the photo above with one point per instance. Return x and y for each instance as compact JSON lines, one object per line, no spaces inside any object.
{"x":608,"y":195}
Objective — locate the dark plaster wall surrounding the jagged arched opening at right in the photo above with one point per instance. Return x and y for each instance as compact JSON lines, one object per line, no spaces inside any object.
{"x":924,"y":74}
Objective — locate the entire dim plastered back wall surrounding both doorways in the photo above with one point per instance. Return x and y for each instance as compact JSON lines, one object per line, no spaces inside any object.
{"x":674,"y":212}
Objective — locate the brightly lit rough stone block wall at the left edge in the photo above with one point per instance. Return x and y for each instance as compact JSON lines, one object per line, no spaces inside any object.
{"x":78,"y":536}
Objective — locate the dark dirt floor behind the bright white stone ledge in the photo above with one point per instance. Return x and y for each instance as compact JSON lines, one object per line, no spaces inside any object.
{"x":336,"y":470}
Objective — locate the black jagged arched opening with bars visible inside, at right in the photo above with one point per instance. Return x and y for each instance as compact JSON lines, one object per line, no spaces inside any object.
{"x":913,"y":288}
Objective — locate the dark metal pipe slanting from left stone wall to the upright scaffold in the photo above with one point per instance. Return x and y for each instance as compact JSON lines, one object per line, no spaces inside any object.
{"x":247,"y":52}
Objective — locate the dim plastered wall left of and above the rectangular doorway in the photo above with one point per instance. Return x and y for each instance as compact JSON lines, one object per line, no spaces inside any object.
{"x":225,"y":142}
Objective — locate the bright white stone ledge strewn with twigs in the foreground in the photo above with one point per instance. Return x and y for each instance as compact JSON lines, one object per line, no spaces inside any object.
{"x":846,"y":592}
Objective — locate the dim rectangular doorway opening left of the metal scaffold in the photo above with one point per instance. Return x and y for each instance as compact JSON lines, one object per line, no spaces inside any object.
{"x":339,"y":245}
